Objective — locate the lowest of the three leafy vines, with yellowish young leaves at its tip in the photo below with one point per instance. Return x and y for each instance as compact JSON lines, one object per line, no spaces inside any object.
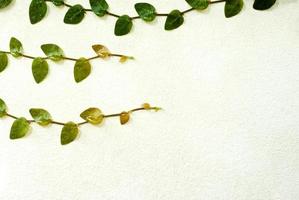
{"x":70,"y":130}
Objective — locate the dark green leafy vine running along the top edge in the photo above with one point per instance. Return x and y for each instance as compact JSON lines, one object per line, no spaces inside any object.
{"x":145,"y":11}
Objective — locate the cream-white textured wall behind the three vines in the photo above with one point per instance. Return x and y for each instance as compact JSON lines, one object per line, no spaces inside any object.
{"x":229,"y":89}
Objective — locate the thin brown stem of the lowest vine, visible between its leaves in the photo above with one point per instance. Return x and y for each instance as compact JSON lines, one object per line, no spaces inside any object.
{"x":86,"y":122}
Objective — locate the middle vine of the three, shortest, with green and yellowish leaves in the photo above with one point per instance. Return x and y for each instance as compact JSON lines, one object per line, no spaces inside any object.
{"x":40,"y":66}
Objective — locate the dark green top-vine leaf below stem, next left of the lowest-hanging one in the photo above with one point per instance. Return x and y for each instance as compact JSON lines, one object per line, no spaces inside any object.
{"x":74,"y":15}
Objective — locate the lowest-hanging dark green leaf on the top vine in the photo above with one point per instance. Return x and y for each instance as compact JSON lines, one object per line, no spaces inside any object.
{"x":123,"y":25}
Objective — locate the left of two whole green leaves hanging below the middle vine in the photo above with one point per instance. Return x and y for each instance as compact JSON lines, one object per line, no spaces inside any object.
{"x":40,"y":69}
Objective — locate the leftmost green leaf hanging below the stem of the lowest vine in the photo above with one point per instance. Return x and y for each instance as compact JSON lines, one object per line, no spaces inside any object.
{"x":19,"y":128}
